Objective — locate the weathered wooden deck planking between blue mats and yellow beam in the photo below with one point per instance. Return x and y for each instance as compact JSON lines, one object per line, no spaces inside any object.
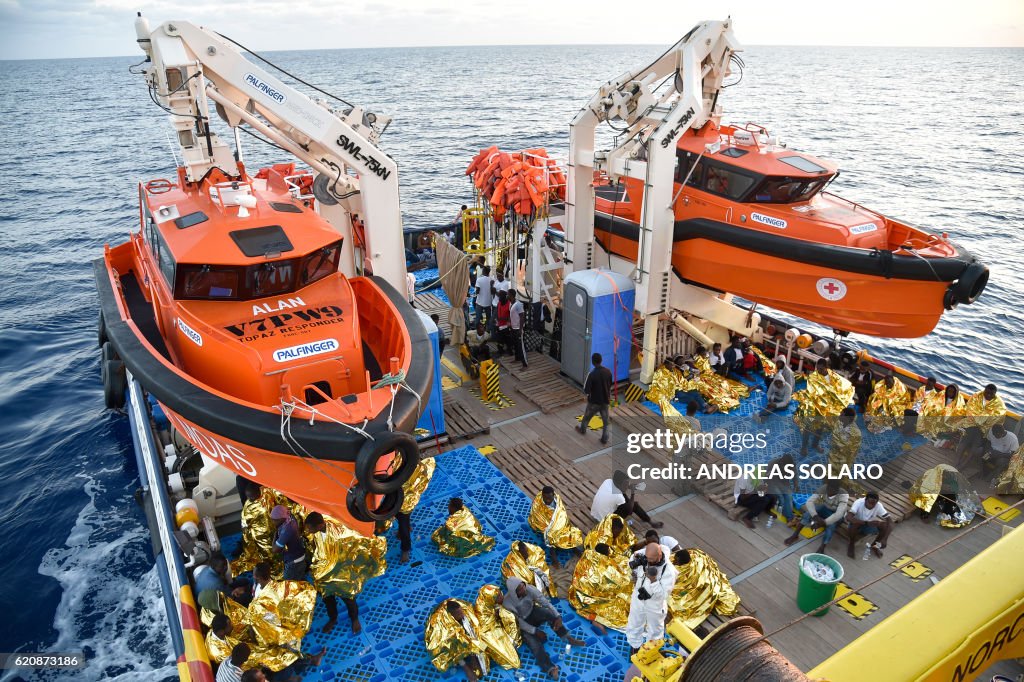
{"x":542,"y":449}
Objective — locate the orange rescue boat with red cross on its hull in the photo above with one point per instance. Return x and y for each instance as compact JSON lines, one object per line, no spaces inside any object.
{"x":754,"y":220}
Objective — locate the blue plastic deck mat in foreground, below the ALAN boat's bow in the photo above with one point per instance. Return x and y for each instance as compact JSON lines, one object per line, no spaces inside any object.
{"x":394,"y":608}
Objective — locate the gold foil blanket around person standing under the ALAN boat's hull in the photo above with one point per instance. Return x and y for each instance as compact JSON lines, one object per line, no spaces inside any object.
{"x":345,"y":560}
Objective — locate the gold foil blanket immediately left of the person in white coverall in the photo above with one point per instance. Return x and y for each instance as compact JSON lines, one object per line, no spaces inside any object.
{"x":603,"y":588}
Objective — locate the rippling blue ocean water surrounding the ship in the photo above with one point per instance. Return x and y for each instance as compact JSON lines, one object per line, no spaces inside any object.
{"x":927,"y":136}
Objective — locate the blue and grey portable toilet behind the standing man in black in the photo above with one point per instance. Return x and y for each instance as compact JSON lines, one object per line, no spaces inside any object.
{"x":598,"y":318}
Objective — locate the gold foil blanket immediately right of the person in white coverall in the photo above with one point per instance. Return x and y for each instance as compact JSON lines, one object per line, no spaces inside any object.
{"x":702,"y":588}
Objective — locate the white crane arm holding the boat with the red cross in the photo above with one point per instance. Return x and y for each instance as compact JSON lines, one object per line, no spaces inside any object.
{"x":653,"y":120}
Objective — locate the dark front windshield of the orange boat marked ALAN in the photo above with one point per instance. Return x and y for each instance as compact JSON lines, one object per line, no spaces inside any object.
{"x":270,"y":279}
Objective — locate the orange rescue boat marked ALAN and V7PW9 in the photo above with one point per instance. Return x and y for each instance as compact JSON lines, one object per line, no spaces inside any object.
{"x":229,"y":308}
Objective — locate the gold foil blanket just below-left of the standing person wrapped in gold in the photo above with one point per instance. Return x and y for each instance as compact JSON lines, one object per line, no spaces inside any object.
{"x":282,"y":614}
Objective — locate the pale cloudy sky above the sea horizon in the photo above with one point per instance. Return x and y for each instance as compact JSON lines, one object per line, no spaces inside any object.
{"x":51,"y":29}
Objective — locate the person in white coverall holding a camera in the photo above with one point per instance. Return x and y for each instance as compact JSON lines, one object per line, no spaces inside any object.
{"x":654,"y":579}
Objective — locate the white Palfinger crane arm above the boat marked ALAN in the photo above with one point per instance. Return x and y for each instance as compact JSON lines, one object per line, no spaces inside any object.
{"x":191,"y":66}
